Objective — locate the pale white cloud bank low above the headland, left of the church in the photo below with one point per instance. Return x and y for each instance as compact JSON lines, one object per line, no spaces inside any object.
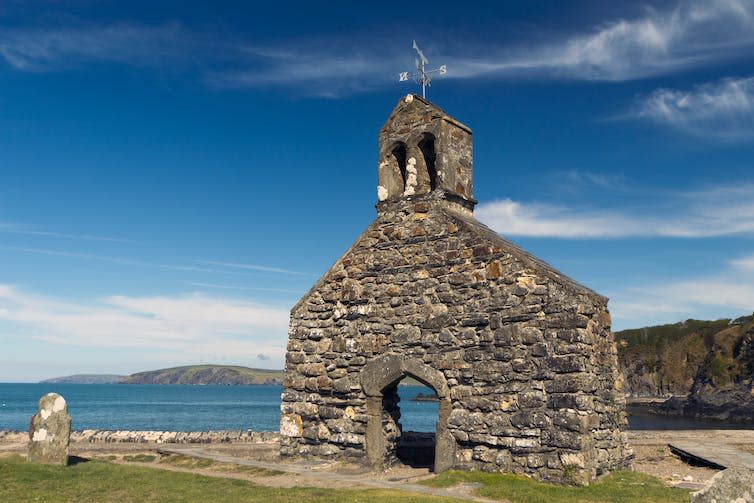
{"x":184,"y":326}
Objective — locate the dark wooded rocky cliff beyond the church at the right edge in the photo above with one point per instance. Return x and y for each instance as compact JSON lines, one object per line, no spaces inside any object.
{"x":710,"y":363}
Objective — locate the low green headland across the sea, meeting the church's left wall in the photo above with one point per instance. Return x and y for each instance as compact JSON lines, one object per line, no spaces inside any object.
{"x":207,"y":374}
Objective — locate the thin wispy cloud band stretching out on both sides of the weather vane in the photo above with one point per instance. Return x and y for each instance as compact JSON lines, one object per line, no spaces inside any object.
{"x":662,"y":41}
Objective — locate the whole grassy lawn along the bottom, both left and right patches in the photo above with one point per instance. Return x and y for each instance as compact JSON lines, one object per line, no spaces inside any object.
{"x":102,"y":481}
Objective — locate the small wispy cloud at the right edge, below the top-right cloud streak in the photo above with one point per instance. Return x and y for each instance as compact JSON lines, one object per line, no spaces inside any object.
{"x":721,"y":110}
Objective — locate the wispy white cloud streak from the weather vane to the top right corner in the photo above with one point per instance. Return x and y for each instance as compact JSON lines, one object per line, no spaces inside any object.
{"x":662,"y":41}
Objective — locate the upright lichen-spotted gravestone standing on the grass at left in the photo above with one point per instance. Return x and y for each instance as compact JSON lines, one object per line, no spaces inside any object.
{"x":50,"y":431}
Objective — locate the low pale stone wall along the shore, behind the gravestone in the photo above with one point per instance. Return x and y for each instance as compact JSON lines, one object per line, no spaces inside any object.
{"x":158,"y":437}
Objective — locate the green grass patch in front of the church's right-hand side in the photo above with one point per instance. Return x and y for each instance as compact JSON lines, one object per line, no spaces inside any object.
{"x":620,"y":487}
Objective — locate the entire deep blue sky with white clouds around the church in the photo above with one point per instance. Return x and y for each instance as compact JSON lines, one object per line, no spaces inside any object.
{"x":174,"y":176}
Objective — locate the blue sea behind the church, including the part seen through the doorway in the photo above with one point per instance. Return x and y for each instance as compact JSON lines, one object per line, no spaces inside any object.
{"x":178,"y":407}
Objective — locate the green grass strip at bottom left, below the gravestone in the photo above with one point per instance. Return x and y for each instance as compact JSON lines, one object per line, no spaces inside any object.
{"x":100,"y":481}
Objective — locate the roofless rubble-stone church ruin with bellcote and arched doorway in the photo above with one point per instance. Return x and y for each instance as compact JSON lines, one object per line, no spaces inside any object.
{"x":520,"y":356}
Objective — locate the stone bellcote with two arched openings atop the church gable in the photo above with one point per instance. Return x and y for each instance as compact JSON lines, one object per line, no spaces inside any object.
{"x":423,"y":151}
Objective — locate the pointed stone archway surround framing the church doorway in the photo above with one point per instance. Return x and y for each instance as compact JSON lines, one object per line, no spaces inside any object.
{"x":385,"y":371}
